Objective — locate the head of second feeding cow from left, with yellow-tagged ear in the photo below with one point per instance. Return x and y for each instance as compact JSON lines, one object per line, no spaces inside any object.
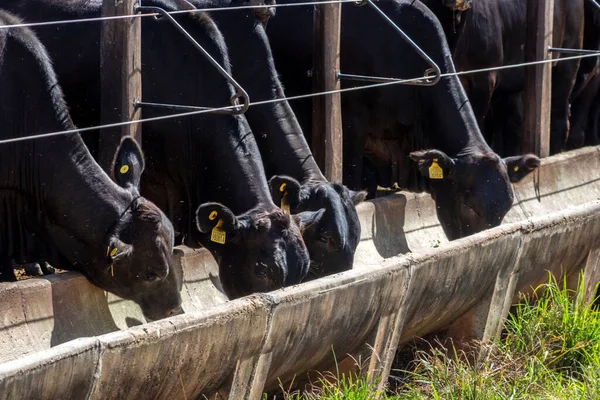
{"x":258,"y":251}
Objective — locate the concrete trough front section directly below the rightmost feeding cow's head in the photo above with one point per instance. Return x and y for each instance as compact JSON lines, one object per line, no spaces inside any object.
{"x":464,"y":271}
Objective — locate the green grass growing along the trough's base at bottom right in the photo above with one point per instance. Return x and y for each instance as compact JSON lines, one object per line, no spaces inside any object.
{"x":550,"y":349}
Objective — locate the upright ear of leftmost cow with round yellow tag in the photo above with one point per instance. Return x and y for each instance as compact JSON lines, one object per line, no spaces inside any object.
{"x":129,"y":164}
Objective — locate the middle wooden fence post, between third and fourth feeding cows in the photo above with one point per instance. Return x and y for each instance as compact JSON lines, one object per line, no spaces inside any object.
{"x":327,"y":113}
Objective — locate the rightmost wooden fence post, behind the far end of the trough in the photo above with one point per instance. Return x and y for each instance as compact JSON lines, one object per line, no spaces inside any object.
{"x":538,"y":78}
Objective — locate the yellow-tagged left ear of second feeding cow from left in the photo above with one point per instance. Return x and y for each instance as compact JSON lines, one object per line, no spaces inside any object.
{"x":217,"y":219}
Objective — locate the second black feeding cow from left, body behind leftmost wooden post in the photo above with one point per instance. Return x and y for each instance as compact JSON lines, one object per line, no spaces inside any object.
{"x":210,"y":159}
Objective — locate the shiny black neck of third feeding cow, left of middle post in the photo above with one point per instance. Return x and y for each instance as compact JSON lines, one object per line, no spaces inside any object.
{"x":279,"y":136}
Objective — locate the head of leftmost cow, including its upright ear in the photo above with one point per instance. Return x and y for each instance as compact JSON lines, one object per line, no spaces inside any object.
{"x":136,"y":261}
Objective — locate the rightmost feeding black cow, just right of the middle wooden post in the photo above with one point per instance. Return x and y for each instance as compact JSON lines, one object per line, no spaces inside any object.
{"x":469,"y":182}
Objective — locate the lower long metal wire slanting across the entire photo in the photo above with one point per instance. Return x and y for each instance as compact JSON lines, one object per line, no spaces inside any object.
{"x":202,"y":110}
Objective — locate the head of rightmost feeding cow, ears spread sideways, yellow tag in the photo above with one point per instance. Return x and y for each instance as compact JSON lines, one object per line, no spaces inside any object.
{"x":472,"y":192}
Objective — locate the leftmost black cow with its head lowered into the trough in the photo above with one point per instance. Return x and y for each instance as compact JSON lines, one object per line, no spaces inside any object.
{"x":53,"y":187}
